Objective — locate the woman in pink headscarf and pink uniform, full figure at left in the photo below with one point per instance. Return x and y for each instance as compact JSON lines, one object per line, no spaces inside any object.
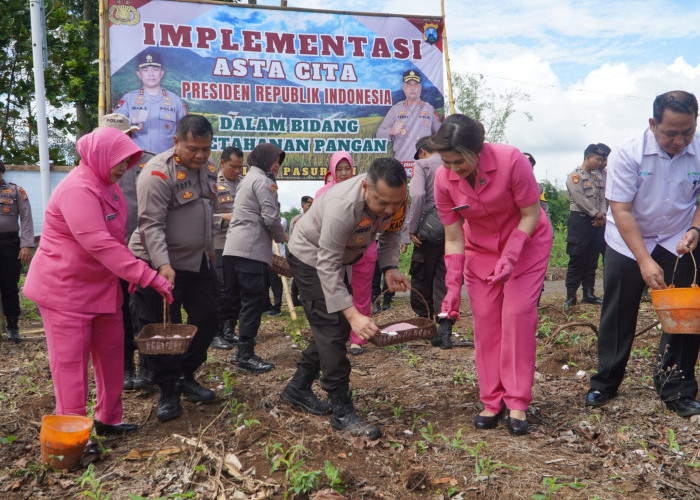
{"x":74,"y":278}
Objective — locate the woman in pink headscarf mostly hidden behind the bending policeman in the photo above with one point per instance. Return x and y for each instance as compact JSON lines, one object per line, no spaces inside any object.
{"x":341,"y":169}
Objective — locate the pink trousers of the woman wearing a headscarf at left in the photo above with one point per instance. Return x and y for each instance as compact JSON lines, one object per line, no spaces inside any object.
{"x":71,"y":338}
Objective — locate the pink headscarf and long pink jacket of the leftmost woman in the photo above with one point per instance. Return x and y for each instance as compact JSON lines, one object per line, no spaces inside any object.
{"x":81,"y":254}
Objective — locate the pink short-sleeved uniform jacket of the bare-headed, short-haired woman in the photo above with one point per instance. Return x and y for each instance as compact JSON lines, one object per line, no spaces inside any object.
{"x":504,"y":184}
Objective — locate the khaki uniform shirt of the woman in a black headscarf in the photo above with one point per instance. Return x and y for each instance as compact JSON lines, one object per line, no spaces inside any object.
{"x":256,"y":220}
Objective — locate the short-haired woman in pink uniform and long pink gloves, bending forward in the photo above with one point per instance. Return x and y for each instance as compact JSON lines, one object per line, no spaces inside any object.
{"x":499,"y":237}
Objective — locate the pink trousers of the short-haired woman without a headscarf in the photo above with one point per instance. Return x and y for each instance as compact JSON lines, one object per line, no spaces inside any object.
{"x":505,"y":325}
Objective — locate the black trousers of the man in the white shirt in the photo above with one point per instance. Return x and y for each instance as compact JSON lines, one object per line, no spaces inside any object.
{"x":674,"y":375}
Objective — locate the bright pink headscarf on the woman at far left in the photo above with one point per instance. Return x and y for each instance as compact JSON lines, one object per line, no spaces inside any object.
{"x":103,"y":148}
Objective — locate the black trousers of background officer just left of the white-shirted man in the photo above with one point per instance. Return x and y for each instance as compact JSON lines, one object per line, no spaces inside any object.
{"x":584,"y":244}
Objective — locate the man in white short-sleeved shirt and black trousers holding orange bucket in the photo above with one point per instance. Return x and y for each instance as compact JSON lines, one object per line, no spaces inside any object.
{"x":653,"y":184}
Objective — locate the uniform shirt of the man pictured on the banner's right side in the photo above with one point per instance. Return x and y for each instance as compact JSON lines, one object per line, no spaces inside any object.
{"x":417,"y":120}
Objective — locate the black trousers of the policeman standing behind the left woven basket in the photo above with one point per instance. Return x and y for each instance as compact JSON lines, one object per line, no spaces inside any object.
{"x":197,"y":293}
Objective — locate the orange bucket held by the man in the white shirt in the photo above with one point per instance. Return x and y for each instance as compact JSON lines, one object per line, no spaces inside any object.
{"x":678,"y":309}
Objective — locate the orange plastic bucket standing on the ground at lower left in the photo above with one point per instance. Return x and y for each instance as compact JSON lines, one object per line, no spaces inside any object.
{"x":63,"y":439}
